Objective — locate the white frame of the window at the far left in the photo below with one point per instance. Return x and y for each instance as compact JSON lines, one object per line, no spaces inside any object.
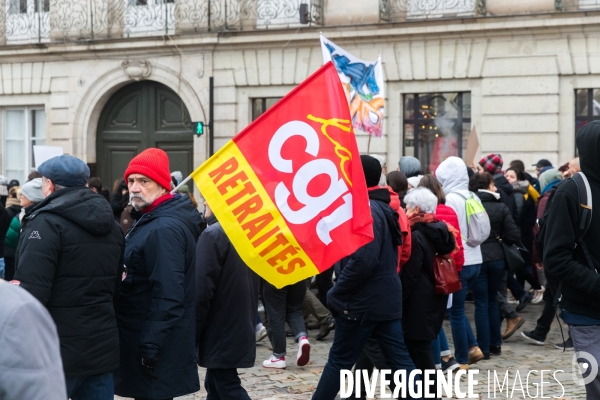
{"x":28,"y":160}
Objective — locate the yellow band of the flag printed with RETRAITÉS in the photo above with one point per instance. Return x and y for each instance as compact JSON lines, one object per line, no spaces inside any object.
{"x":251,"y":220}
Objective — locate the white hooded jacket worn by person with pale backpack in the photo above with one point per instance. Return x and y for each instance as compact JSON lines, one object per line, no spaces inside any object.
{"x":452,"y":174}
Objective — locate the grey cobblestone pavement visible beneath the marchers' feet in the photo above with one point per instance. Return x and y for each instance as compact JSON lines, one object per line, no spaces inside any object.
{"x":517,"y":355}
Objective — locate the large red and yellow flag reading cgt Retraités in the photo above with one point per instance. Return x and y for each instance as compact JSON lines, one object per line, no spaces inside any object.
{"x":289,"y":190}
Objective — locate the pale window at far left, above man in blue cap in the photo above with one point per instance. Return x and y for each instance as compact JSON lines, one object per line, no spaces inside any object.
{"x":23,"y":128}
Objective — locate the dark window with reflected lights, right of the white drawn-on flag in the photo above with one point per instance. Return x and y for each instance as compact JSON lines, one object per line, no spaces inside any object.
{"x":436,"y":126}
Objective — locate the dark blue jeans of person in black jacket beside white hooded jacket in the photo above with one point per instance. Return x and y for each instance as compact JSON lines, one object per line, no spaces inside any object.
{"x":487,"y":317}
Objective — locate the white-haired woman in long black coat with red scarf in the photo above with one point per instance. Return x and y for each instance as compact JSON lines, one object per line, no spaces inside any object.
{"x":423,"y":309}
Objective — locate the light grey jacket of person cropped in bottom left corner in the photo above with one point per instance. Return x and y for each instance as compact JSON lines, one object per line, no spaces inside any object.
{"x":30,"y":362}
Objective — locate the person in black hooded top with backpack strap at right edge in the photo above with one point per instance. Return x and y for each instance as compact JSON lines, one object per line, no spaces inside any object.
{"x":571,"y":253}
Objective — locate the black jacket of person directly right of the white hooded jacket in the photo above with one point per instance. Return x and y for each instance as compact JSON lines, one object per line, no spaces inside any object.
{"x":502,"y":225}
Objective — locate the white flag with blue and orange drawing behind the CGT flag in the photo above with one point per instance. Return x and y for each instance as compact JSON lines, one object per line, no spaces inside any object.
{"x":363,"y":84}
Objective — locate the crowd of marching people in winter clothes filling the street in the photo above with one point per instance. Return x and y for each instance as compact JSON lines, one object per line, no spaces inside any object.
{"x":137,"y":290}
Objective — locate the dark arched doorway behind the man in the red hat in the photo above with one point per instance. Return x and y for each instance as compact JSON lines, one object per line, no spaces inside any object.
{"x":141,"y":115}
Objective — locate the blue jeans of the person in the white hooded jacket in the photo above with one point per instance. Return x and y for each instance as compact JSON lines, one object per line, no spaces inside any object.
{"x":461,"y":328}
